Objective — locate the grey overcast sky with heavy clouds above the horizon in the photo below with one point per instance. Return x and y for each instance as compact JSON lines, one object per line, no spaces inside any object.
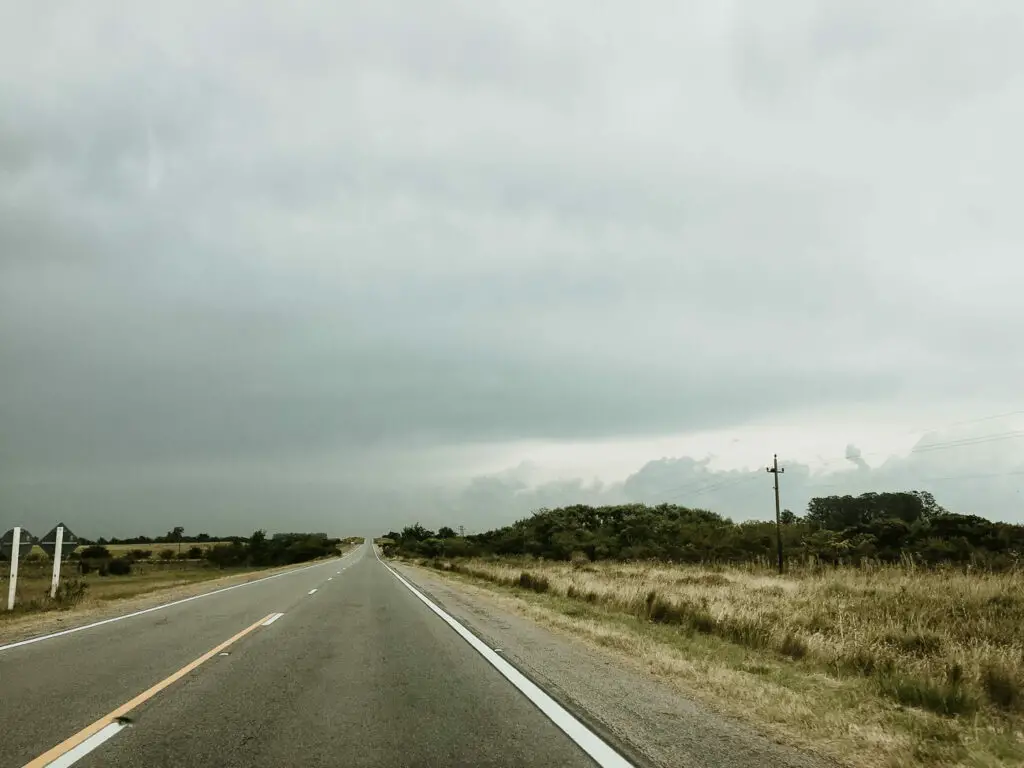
{"x":342,"y":266}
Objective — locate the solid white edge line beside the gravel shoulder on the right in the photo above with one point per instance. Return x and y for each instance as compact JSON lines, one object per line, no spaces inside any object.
{"x":585,"y":739}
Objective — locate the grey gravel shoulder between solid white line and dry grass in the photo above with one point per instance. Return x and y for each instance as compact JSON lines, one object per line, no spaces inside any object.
{"x":651,"y":719}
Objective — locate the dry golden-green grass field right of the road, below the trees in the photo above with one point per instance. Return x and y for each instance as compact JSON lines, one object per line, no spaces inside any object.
{"x":879,"y":666}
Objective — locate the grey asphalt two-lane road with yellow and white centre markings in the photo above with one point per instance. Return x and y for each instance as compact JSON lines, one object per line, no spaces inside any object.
{"x":356,"y":671}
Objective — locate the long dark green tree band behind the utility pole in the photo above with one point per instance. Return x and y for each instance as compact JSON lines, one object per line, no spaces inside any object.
{"x":836,"y":530}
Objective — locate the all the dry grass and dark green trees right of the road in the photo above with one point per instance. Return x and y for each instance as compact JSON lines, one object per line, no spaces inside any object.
{"x":873,"y":650}
